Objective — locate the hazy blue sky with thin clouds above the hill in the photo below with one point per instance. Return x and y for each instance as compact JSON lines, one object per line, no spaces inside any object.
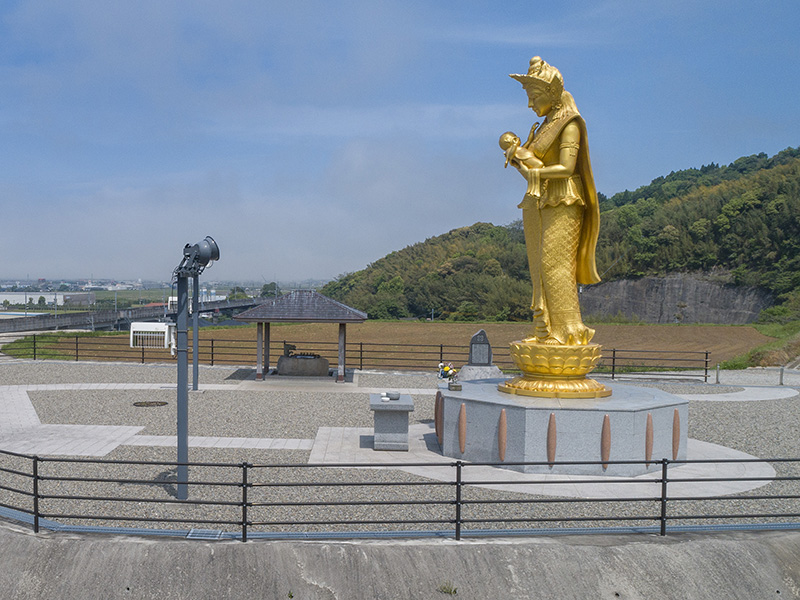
{"x":310,"y":138}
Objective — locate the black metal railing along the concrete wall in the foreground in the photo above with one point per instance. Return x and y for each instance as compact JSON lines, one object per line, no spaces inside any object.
{"x":244,"y":500}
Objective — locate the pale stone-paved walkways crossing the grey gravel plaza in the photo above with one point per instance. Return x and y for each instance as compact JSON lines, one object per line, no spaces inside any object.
{"x":22,"y":431}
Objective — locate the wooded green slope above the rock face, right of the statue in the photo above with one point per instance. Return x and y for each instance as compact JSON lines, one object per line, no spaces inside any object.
{"x":748,"y":226}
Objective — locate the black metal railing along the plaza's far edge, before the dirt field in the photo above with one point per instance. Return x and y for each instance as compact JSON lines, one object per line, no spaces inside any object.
{"x":364,"y":355}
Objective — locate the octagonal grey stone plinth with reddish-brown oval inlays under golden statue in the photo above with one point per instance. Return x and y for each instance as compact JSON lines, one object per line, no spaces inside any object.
{"x":558,"y":436}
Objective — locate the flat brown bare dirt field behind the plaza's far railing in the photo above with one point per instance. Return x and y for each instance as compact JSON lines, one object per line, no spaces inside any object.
{"x":237,"y":345}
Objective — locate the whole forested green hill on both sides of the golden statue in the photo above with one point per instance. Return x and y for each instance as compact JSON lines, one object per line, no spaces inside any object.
{"x":740,"y":220}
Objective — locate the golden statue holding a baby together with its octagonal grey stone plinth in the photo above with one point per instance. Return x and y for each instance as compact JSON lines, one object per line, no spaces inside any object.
{"x":552,"y":414}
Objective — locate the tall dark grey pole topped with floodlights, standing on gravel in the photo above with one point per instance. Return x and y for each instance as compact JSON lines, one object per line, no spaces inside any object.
{"x":195,"y":260}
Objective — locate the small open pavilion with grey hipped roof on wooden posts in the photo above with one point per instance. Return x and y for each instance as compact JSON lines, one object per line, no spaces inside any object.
{"x":299,"y":306}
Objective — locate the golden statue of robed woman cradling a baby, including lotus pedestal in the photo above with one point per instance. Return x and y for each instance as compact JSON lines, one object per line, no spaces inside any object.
{"x":561,"y":217}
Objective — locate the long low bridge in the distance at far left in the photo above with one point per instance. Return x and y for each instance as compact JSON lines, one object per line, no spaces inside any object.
{"x":111,"y":319}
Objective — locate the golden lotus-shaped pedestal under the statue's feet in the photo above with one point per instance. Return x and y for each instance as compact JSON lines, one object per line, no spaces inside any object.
{"x":554,"y":371}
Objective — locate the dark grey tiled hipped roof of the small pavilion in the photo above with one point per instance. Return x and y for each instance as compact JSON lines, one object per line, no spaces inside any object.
{"x":302,"y":306}
